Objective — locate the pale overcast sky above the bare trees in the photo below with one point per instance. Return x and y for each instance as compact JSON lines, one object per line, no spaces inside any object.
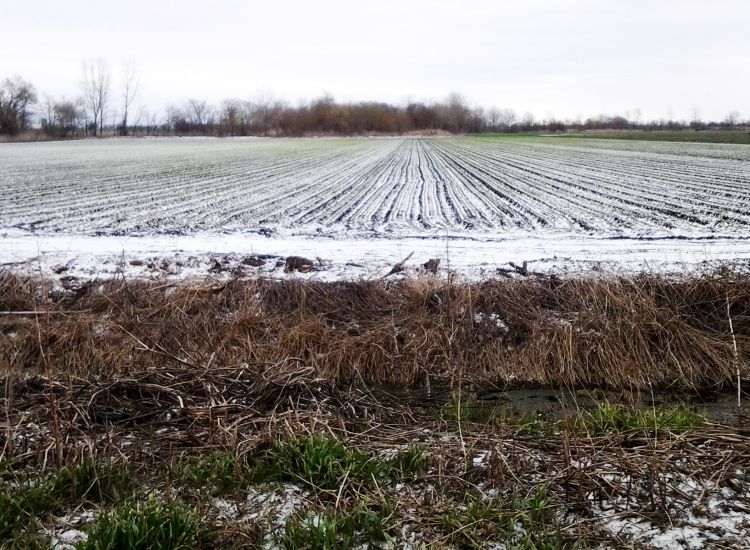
{"x":568,"y":58}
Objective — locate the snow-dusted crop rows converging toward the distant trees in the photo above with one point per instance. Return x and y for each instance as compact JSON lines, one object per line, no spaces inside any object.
{"x":376,"y":186}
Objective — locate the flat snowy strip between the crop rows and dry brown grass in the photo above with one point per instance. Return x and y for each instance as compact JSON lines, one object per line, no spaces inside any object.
{"x":185,"y":257}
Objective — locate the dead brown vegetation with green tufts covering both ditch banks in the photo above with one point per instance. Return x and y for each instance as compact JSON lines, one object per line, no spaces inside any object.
{"x":190,"y":388}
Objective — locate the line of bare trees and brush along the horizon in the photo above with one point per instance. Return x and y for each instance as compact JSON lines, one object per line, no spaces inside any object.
{"x":104,"y":106}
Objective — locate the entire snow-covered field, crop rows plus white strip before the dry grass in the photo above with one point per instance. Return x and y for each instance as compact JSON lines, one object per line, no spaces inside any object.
{"x":476,"y":203}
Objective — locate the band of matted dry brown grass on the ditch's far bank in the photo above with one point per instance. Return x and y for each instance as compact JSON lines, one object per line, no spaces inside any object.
{"x":643,"y":333}
